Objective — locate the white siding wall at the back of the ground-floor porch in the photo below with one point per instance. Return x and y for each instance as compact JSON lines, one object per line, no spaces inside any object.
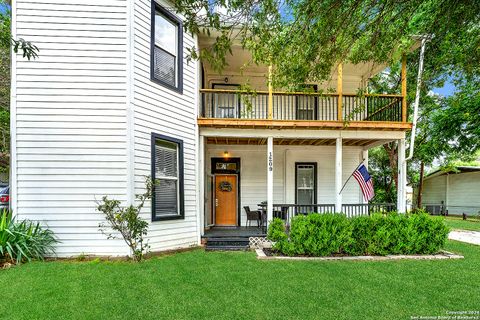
{"x":253,"y":175}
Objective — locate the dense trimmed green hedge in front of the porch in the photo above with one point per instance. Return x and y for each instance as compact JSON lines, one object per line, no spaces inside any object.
{"x":378,"y":234}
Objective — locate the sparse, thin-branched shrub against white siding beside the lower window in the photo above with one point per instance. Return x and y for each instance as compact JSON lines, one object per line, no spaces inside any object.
{"x":127,"y":221}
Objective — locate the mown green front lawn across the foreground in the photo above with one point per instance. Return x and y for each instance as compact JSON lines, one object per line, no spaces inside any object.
{"x":235,"y":285}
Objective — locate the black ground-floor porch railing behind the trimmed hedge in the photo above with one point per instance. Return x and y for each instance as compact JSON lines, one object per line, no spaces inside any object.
{"x":288,"y":211}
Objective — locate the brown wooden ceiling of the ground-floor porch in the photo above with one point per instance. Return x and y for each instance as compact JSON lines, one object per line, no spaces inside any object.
{"x":281,"y":141}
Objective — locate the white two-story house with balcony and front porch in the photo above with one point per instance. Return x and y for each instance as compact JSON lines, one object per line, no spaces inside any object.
{"x":112,"y":100}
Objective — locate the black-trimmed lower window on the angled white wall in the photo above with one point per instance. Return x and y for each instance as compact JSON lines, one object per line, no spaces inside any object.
{"x":167,"y":172}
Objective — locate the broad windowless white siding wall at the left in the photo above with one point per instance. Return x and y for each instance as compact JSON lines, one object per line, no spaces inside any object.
{"x":71,"y":118}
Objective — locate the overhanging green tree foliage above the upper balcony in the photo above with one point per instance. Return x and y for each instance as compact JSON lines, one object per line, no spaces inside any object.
{"x":305,"y":39}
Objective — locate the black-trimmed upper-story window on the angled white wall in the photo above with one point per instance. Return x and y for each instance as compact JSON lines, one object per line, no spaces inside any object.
{"x":167,"y":48}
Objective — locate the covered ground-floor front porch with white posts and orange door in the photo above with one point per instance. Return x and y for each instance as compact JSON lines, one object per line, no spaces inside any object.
{"x":283,"y":173}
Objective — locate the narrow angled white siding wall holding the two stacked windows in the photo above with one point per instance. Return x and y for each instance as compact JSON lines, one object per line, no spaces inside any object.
{"x":164,"y":111}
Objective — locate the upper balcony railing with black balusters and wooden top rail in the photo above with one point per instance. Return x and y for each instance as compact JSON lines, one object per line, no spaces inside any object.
{"x":234,"y":104}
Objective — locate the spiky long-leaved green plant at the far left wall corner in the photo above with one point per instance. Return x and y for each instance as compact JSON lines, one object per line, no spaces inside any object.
{"x":24,"y":241}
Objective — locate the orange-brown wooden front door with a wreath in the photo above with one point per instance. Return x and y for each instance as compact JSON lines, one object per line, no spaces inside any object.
{"x":225,"y":200}
